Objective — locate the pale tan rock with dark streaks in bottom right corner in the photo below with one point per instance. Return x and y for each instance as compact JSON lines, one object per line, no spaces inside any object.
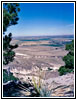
{"x":63,"y":91}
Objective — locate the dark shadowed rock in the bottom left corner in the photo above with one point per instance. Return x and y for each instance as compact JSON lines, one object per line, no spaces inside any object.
{"x":17,"y":89}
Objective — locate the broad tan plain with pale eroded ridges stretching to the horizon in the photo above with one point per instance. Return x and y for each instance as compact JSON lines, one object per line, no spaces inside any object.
{"x":34,"y":57}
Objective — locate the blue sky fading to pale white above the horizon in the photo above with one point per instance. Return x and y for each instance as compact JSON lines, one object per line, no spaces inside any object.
{"x":38,"y":19}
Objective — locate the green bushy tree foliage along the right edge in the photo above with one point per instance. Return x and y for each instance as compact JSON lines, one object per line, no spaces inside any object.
{"x":68,"y":59}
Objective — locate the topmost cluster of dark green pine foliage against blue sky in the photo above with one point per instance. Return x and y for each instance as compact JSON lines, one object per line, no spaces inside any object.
{"x":10,"y":16}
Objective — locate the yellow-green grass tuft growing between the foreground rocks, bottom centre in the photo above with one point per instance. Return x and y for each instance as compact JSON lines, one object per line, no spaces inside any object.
{"x":40,"y":87}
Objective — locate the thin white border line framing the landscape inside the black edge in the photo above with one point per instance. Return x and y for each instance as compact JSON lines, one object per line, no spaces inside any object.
{"x":19,"y":1}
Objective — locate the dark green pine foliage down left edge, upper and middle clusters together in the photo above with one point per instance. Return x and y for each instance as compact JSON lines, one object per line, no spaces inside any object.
{"x":10,"y":17}
